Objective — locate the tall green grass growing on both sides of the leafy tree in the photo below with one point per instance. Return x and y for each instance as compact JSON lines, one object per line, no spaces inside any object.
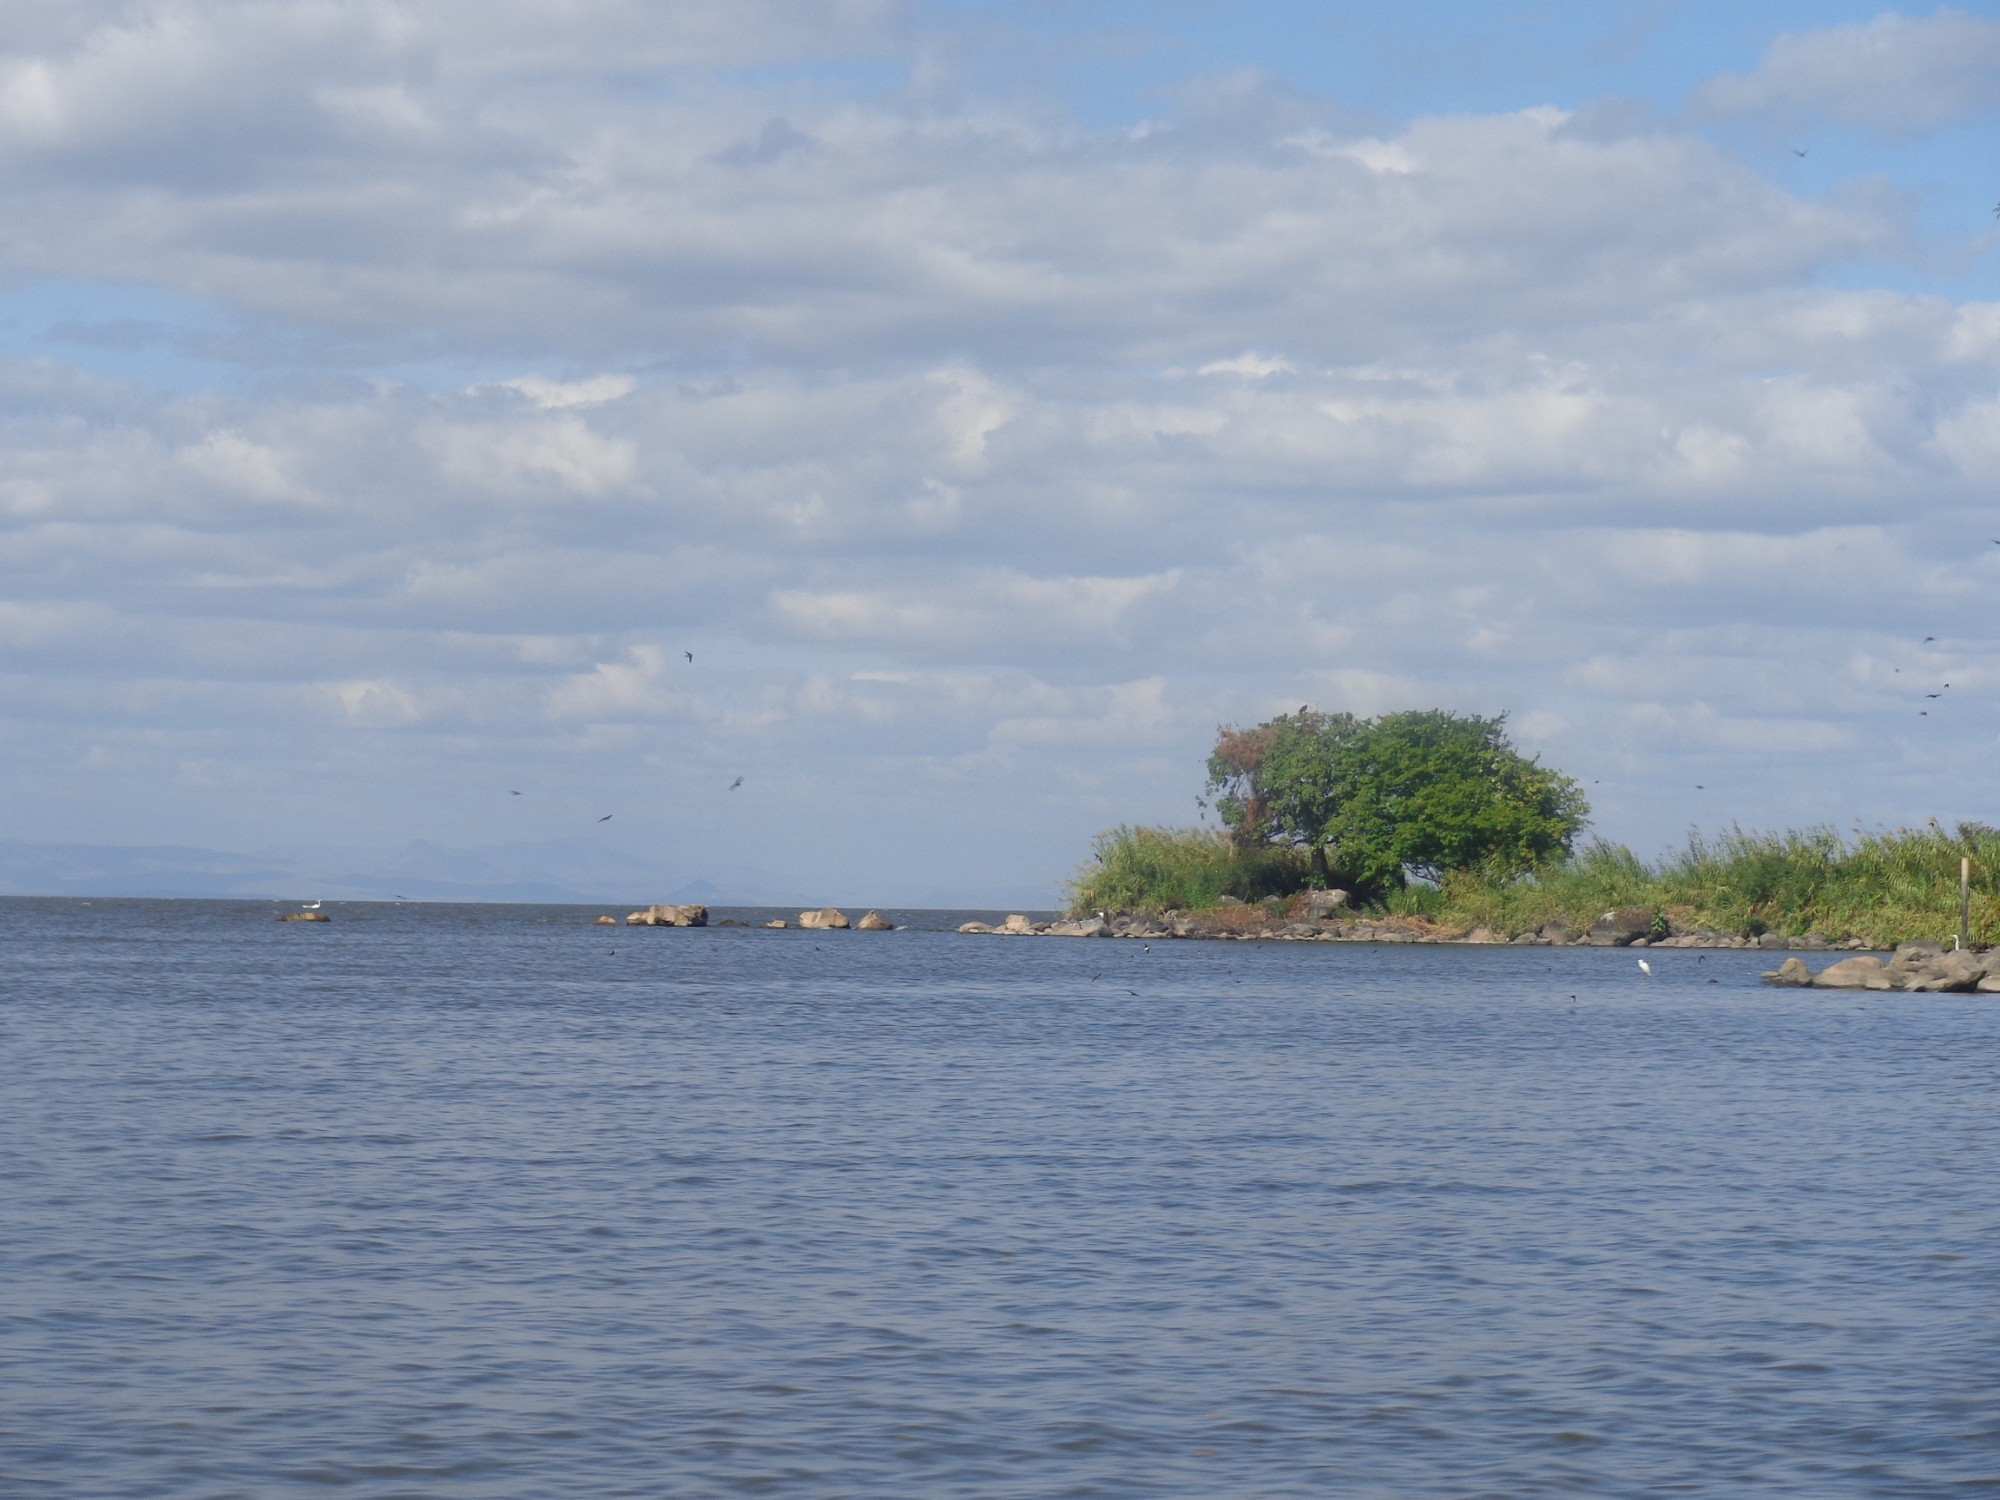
{"x":1885,"y":887}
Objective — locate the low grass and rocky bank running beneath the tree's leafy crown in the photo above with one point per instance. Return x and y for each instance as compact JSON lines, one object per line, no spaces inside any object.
{"x":1737,"y":889}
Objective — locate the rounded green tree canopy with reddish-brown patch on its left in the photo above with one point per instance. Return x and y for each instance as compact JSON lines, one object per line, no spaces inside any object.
{"x":1379,"y":801}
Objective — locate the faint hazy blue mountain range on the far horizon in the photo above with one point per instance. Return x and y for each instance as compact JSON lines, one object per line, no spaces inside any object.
{"x":557,"y":871}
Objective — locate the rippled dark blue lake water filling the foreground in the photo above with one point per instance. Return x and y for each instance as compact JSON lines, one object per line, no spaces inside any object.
{"x":493,"y":1203}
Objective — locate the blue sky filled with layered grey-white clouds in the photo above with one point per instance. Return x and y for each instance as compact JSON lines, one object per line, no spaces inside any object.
{"x":993,"y":397}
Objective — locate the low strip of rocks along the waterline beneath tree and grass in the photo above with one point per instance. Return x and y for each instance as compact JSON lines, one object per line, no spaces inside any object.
{"x":1629,"y":929}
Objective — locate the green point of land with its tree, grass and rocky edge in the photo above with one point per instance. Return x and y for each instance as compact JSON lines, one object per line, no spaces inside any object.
{"x":1431,"y":827}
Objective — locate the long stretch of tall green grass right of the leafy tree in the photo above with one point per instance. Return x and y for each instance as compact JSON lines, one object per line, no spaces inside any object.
{"x":1883,"y":885}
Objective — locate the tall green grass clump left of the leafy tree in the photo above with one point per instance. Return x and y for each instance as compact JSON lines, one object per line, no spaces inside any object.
{"x":1179,"y":869}
